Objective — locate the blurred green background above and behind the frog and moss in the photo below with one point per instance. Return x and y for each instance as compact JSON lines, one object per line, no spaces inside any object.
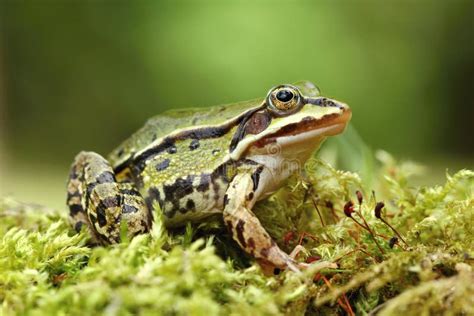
{"x":85,"y":74}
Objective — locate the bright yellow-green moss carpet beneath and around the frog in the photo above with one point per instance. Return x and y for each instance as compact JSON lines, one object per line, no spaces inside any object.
{"x":47,"y":269}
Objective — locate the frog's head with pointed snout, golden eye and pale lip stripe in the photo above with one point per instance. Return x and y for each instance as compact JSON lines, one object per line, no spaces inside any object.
{"x":292,"y":120}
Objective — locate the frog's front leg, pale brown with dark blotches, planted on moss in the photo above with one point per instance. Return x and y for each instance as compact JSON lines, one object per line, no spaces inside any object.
{"x":246,"y":228}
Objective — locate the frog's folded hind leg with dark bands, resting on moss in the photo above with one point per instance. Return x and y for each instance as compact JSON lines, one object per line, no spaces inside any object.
{"x":97,"y":200}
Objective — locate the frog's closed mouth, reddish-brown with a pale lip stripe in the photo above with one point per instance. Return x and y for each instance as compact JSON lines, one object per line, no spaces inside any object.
{"x":308,"y":128}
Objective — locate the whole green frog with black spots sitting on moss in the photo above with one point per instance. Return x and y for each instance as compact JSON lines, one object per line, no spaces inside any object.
{"x":187,"y":165}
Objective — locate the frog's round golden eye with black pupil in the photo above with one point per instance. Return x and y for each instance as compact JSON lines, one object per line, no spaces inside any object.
{"x":283,"y":100}
